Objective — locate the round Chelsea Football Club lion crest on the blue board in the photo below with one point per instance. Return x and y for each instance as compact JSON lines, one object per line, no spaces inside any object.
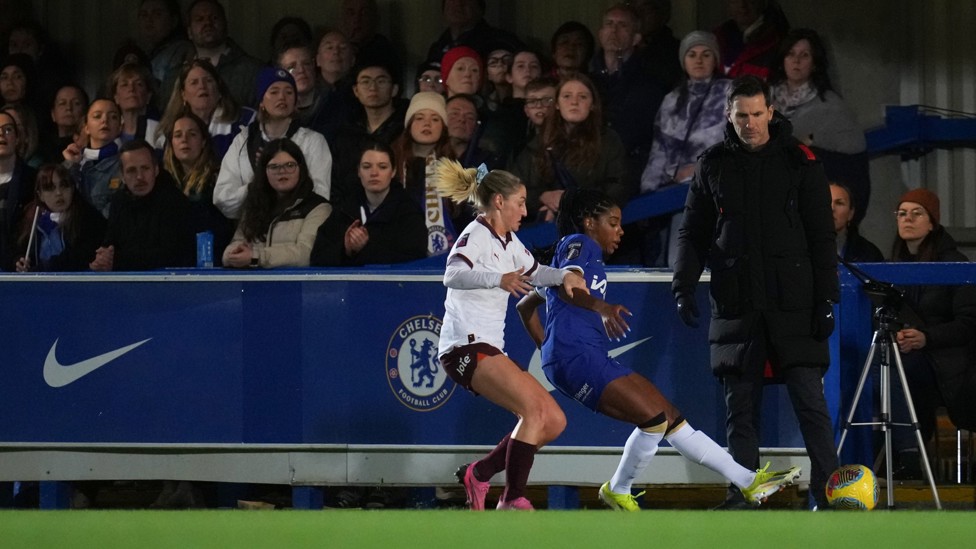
{"x":413,"y":369}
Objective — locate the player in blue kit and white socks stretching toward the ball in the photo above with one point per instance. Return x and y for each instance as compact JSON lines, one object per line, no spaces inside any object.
{"x":575,"y":345}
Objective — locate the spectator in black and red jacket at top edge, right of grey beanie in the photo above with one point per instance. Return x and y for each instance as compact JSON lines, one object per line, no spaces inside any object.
{"x":748,"y":39}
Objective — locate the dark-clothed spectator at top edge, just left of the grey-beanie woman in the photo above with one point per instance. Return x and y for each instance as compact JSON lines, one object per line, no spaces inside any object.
{"x":658,"y":42}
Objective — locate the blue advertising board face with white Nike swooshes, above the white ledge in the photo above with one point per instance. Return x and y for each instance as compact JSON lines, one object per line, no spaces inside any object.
{"x":300,"y":358}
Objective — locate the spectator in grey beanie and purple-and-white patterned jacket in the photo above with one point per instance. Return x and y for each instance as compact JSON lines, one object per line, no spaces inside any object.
{"x":691,"y":118}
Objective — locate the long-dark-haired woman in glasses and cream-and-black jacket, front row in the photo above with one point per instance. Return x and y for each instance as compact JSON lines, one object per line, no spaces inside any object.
{"x":281,"y":213}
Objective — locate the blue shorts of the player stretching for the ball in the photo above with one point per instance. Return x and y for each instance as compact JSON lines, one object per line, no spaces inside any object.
{"x":584,"y":377}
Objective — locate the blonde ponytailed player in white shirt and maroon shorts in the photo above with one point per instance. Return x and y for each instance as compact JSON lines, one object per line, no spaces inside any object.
{"x":486,"y":266}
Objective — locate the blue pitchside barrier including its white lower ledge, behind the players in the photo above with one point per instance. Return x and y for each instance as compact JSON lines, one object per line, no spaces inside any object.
{"x":329,"y":378}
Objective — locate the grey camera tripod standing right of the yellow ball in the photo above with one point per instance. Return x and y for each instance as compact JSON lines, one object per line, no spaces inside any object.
{"x":884,"y":339}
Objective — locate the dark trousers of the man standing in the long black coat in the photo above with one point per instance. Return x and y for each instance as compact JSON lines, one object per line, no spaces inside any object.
{"x":743,"y":399}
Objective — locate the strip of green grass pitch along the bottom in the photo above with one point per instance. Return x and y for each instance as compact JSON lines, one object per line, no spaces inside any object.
{"x":461,"y":529}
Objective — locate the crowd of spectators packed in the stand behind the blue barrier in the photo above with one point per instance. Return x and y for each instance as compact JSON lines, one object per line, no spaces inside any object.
{"x":626,"y":107}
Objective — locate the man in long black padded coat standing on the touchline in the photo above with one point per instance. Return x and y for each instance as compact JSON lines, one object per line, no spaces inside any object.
{"x":758,"y":211}
